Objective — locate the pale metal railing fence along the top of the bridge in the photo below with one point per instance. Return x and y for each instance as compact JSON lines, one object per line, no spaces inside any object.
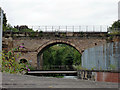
{"x":89,"y":28}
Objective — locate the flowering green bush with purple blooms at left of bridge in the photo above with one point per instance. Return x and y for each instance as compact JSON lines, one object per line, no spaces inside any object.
{"x":10,"y":65}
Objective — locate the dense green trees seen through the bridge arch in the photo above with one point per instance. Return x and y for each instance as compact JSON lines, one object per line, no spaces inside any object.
{"x":61,"y":54}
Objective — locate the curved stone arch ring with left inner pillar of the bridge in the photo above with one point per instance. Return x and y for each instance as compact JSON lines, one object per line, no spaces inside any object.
{"x":49,"y":44}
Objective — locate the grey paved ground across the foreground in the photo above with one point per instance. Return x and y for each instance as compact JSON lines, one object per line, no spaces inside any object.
{"x":26,"y":81}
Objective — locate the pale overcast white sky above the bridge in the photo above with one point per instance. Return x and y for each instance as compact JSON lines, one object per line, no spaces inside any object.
{"x":60,"y":12}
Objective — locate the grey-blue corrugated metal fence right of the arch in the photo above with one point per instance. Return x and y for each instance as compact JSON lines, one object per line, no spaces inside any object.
{"x":105,"y":57}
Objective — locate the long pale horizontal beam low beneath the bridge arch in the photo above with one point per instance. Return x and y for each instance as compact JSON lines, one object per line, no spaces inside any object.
{"x":51,"y":72}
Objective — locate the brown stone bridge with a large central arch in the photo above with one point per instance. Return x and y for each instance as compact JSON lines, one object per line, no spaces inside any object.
{"x":35,"y":43}
